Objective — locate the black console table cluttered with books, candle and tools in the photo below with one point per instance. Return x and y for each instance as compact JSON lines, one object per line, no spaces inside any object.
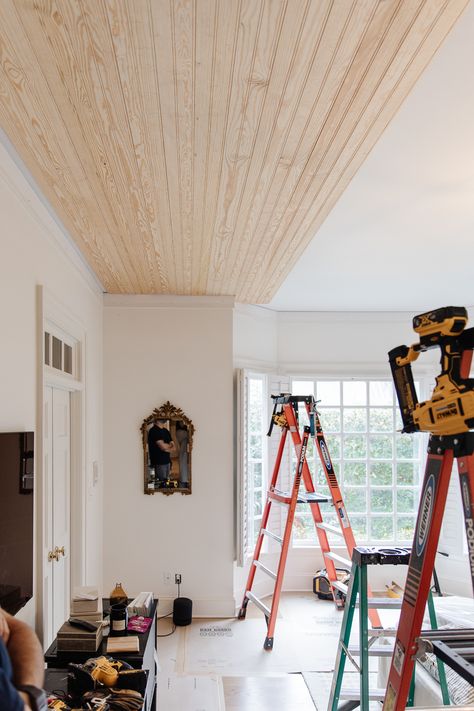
{"x":143,"y":659}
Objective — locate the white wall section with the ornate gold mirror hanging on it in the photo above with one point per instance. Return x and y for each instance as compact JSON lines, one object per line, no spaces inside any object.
{"x":177,"y":349}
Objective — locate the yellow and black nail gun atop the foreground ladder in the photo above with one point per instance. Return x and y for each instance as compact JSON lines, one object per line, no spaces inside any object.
{"x":451,"y":408}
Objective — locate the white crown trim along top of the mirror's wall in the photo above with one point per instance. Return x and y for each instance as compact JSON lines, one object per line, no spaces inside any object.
{"x":165,"y":301}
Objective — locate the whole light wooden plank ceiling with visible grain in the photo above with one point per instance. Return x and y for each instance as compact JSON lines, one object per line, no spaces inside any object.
{"x":195,"y":146}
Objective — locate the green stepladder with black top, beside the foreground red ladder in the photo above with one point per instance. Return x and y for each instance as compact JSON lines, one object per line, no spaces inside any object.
{"x":357,"y":597}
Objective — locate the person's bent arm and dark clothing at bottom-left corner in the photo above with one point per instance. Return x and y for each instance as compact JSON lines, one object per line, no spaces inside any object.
{"x":21,"y":667}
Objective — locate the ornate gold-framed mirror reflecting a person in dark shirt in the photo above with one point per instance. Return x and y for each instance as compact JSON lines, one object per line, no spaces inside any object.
{"x":167,"y":436}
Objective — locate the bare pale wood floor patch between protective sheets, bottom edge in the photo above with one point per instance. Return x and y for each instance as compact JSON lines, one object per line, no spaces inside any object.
{"x":275,"y":693}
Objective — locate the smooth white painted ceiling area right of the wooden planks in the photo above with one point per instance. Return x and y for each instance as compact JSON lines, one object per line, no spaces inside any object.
{"x":401,"y":235}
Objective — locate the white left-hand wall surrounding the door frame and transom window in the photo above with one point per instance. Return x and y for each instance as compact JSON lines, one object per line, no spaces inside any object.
{"x":35,"y":251}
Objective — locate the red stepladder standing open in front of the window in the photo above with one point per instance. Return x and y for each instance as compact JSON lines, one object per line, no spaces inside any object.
{"x":287,"y":418}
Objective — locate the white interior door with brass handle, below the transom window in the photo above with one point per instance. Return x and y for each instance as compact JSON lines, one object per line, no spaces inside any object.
{"x":57,"y":468}
